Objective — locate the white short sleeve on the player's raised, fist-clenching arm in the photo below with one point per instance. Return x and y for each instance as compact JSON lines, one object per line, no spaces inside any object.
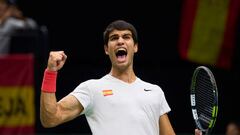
{"x":83,"y":95}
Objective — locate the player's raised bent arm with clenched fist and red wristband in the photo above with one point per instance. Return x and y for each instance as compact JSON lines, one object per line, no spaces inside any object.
{"x":53,"y":113}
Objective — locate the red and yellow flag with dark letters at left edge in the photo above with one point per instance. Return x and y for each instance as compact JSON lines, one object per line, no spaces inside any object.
{"x":17,"y":112}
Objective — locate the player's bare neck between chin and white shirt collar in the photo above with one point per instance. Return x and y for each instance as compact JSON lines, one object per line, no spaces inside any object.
{"x":127,"y":75}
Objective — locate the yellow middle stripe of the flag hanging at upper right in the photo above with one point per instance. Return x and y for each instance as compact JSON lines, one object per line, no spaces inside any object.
{"x":208,"y":31}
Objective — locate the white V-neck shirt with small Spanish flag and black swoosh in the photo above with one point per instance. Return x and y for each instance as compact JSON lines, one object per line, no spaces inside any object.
{"x":114,"y":107}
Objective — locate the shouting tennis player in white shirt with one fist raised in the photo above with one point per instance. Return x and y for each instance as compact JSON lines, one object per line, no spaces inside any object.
{"x":119,"y":103}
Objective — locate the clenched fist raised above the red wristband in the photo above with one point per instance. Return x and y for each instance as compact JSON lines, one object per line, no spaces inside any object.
{"x":56,"y":60}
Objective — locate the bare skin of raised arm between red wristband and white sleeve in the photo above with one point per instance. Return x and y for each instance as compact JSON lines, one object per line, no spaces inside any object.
{"x":53,"y":113}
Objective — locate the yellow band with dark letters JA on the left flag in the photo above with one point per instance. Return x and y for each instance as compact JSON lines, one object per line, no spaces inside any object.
{"x":17,"y":106}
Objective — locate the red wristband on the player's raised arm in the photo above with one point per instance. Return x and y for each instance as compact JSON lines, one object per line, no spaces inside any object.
{"x":49,"y":81}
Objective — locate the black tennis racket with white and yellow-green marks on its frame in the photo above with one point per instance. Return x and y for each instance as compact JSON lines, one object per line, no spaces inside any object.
{"x":204,"y":99}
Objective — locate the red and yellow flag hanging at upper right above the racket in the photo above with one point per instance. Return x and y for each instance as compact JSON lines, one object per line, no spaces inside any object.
{"x":208,"y":31}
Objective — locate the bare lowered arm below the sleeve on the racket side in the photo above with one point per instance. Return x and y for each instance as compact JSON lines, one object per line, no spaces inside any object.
{"x":165,"y":126}
